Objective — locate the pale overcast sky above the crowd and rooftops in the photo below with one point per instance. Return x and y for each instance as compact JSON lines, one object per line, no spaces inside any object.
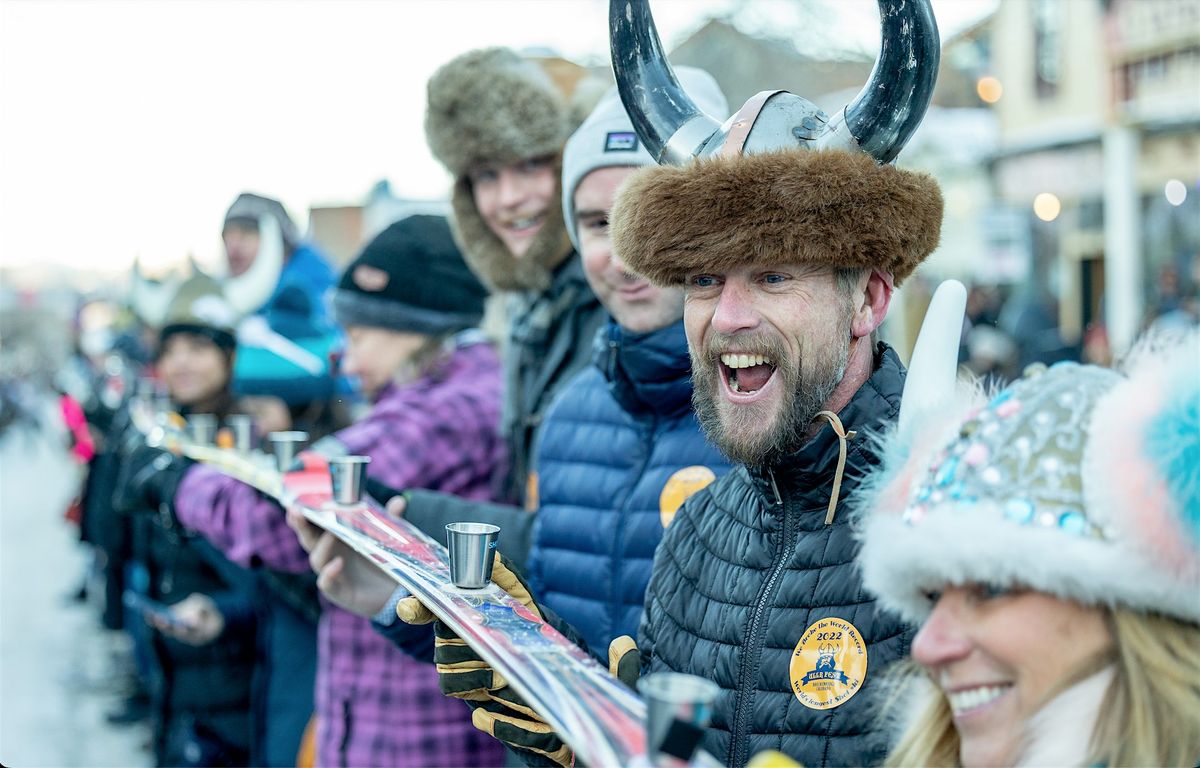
{"x":128,"y":127}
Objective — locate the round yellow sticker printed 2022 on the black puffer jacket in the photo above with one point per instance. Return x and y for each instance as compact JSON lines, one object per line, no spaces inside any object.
{"x":830,"y":664}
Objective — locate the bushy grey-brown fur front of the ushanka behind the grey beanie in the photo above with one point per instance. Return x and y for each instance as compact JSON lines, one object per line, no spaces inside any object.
{"x":494,"y":107}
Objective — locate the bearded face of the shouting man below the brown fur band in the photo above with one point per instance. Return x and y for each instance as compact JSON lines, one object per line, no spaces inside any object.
{"x":755,"y":395}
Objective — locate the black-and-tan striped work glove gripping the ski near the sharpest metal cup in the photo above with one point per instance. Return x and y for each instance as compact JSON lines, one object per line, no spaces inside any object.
{"x":499,"y":711}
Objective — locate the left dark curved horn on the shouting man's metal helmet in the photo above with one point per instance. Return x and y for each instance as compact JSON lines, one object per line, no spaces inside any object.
{"x":671,"y":125}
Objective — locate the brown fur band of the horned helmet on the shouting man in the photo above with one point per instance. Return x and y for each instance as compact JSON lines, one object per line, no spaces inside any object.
{"x":826,"y":207}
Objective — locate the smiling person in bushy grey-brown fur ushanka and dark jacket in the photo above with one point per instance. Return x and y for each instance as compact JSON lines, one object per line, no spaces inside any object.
{"x":499,"y":122}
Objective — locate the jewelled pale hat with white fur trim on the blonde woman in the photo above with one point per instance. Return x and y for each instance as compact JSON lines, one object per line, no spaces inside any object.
{"x":1076,"y":482}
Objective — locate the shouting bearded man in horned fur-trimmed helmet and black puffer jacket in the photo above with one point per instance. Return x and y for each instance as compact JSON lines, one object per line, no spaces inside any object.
{"x":788,"y":231}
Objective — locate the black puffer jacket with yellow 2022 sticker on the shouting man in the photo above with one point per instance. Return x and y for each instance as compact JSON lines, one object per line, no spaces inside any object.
{"x":748,"y":567}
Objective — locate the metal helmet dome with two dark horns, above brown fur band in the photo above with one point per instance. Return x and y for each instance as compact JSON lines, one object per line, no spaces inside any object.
{"x":879,"y":122}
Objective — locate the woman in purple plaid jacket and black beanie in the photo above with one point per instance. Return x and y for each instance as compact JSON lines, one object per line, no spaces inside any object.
{"x":405,"y":304}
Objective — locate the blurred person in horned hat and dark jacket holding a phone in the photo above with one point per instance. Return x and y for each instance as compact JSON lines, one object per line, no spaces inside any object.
{"x":200,"y":681}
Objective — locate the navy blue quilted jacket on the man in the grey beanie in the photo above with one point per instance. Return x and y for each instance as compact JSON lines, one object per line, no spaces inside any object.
{"x":610,"y":445}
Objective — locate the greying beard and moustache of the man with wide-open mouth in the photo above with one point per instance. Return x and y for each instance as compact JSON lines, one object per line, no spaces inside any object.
{"x":805,"y":397}
